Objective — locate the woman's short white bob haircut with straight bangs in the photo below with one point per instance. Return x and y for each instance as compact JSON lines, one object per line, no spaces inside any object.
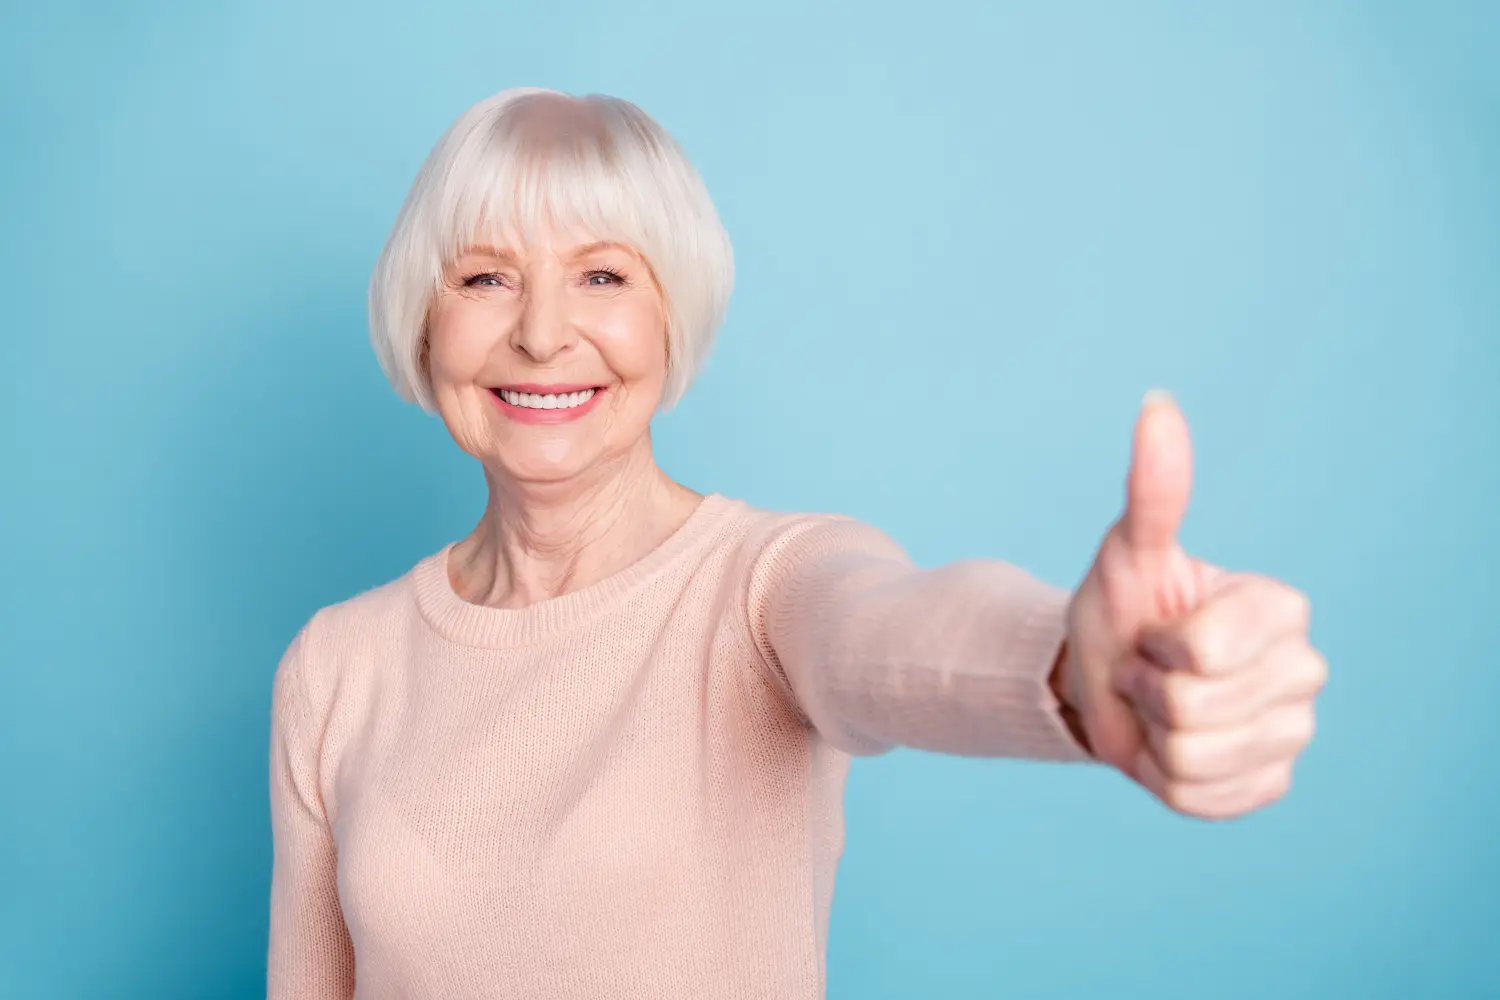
{"x":529,"y":158}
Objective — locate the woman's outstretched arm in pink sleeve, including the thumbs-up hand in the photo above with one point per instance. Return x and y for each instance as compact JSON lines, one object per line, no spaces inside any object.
{"x":1196,"y":683}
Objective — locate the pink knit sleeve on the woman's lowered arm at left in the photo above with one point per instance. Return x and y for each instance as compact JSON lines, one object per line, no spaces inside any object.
{"x":311,"y":956}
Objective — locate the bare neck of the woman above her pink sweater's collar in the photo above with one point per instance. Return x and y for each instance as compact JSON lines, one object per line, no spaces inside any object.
{"x":542,"y":540}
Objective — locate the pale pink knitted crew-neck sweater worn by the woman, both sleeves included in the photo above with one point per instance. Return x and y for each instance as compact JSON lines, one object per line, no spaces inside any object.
{"x":632,"y":791}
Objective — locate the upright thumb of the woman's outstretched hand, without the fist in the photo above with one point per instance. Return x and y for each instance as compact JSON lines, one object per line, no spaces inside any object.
{"x":1160,"y":476}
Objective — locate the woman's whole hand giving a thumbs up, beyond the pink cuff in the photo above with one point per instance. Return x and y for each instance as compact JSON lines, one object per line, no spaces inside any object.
{"x":1196,"y":683}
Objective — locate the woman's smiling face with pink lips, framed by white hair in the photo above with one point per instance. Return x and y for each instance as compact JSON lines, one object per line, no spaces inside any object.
{"x":548,"y":359}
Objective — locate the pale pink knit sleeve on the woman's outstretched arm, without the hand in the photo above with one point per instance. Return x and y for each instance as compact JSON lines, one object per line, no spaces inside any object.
{"x":878,"y":653}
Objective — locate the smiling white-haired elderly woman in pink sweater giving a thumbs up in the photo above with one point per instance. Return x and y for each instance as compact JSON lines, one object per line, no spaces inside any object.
{"x":598,"y":747}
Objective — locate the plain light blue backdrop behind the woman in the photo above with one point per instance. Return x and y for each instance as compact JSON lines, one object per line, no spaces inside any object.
{"x":970,"y":238}
